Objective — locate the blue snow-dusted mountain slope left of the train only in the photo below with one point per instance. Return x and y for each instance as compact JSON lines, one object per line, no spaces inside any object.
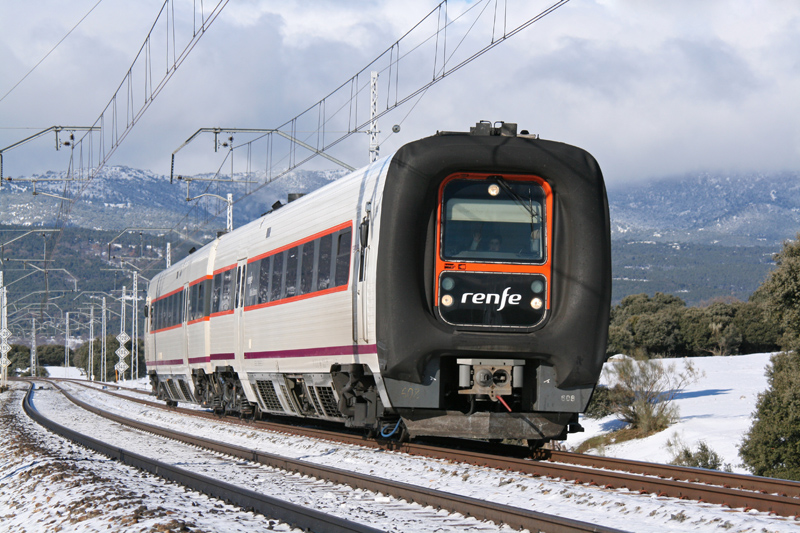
{"x":121,"y":197}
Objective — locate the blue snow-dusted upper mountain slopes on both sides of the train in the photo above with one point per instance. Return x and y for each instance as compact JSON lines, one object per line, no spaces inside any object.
{"x":731,"y":209}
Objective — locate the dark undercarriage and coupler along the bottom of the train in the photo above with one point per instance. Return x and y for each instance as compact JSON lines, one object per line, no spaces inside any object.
{"x":349,"y":394}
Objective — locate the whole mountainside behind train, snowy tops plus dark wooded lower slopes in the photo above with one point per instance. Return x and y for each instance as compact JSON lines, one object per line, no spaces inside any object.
{"x":697,"y":236}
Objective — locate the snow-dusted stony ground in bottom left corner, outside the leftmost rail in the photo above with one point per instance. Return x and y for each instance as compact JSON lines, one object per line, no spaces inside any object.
{"x":50,"y":484}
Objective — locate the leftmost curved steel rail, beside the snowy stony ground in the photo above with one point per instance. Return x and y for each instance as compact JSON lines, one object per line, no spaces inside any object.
{"x":295,"y":515}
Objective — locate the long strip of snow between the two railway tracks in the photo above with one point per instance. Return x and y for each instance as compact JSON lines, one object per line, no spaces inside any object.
{"x":614,"y":508}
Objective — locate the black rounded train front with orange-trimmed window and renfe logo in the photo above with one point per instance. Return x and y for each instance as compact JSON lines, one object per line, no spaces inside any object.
{"x":513,"y":273}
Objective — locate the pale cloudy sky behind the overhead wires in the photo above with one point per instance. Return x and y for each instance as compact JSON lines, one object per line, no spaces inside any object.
{"x":652,"y":89}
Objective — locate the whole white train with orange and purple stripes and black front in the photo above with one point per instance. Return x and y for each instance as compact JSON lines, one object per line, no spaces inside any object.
{"x":306,"y":311}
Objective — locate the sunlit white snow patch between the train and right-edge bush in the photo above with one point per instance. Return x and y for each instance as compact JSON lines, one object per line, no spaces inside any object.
{"x":717,"y":409}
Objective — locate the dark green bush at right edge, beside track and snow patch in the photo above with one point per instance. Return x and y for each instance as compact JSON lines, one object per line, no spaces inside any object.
{"x":772,"y":445}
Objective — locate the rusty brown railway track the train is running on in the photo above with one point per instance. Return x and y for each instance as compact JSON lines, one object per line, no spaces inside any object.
{"x":770,"y":495}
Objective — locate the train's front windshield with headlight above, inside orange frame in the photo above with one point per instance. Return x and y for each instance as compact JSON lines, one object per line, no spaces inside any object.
{"x":493,"y":220}
